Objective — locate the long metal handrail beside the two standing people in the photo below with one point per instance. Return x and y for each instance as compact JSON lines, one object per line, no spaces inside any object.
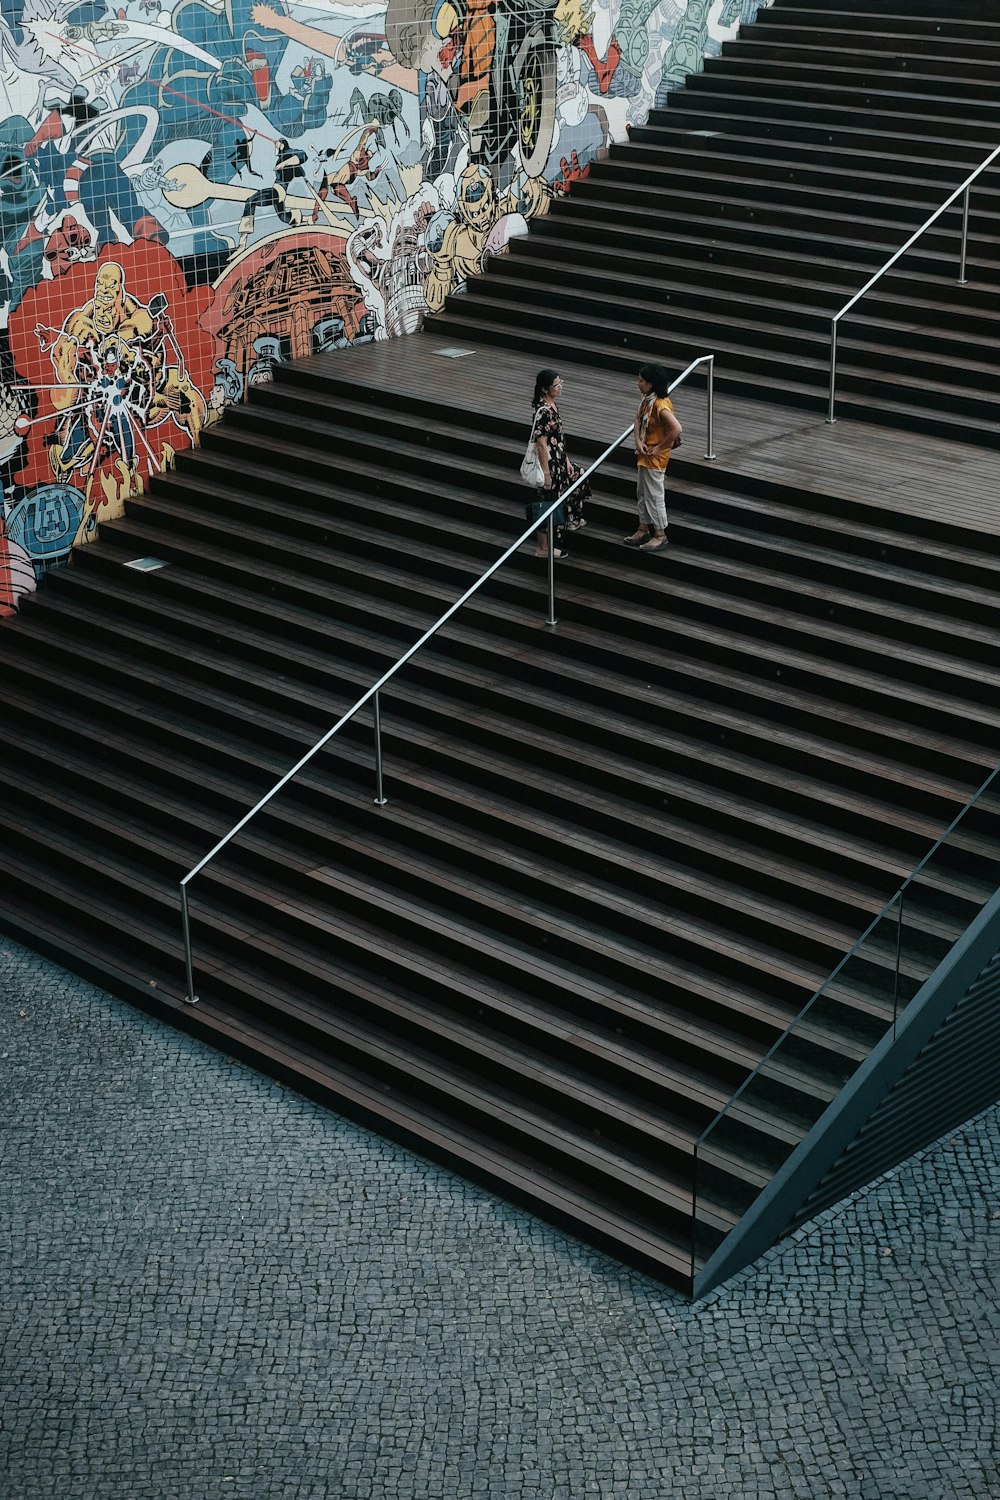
{"x":373,"y":694}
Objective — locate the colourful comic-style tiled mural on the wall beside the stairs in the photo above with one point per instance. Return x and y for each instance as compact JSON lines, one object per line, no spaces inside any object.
{"x":194,"y":191}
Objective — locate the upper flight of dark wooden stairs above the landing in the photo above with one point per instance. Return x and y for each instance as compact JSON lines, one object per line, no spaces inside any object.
{"x":767,"y":193}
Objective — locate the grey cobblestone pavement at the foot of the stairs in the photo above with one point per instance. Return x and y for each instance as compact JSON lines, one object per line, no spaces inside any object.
{"x":215,"y":1289}
